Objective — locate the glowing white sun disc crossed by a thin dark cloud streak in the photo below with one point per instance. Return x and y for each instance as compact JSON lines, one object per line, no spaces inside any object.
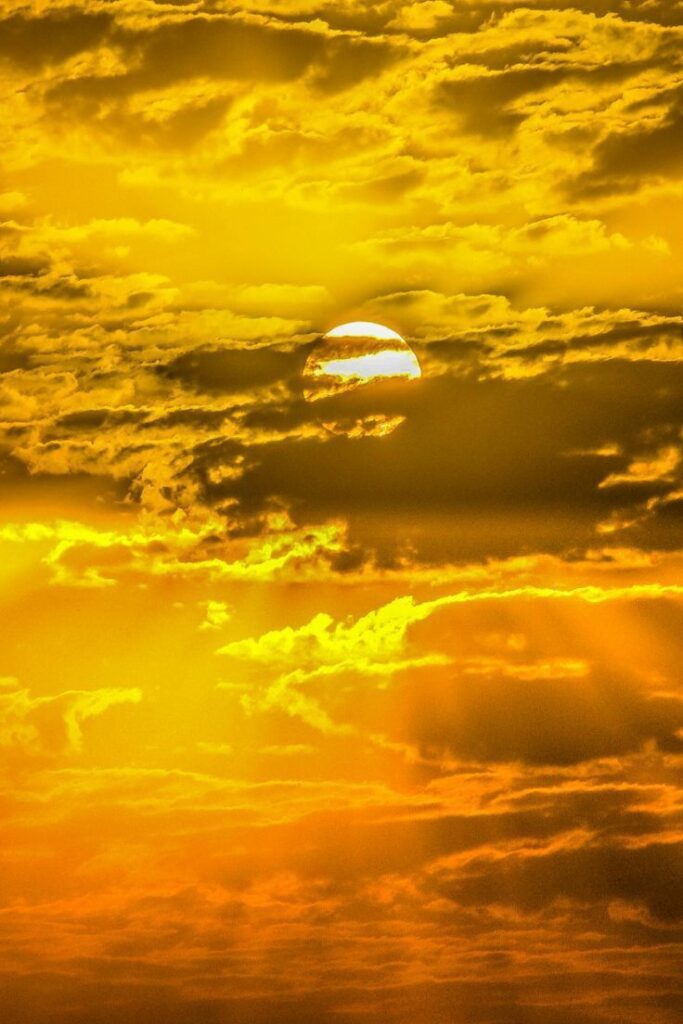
{"x":358,"y":354}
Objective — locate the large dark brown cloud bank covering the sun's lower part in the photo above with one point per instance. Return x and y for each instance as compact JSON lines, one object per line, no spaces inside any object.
{"x":483,"y":451}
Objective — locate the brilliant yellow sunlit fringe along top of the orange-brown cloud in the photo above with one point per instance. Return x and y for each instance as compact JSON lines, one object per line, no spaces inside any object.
{"x":373,"y":647}
